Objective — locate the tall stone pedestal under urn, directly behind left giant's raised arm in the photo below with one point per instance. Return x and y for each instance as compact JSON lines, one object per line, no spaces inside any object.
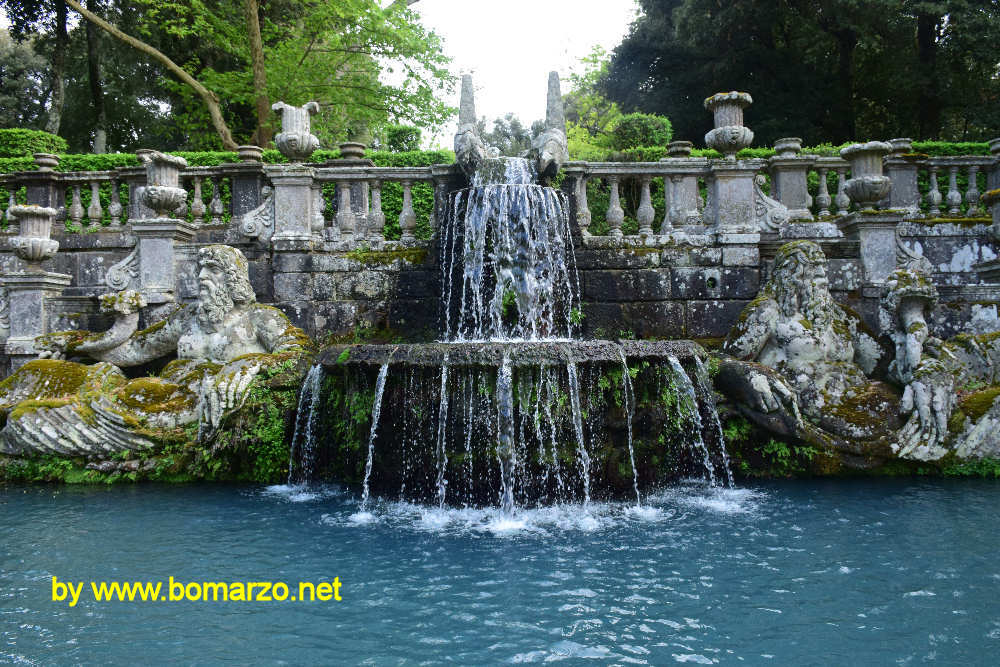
{"x":155,"y":240}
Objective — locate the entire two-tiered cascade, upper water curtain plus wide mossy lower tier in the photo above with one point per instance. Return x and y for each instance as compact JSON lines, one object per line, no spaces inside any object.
{"x":511,"y":409}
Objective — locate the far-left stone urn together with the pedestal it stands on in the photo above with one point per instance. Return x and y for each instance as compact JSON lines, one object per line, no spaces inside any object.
{"x":30,"y":291}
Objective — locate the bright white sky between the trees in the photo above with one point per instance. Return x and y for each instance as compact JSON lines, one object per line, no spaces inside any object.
{"x":510,"y":47}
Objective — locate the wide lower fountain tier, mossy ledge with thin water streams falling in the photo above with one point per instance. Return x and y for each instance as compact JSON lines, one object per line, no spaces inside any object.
{"x":450,"y":433}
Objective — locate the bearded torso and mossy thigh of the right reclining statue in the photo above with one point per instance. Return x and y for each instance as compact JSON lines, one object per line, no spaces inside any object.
{"x":800,"y":363}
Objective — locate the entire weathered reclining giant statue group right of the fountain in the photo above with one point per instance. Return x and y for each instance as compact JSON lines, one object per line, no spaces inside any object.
{"x":803,"y":366}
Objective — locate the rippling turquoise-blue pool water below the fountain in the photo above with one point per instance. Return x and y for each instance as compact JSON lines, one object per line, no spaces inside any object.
{"x":866,"y":572}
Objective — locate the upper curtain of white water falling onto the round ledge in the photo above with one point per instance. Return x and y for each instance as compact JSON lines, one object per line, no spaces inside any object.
{"x":516,"y":249}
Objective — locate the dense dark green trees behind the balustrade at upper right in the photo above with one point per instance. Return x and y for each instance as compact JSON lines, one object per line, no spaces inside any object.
{"x":823,"y":70}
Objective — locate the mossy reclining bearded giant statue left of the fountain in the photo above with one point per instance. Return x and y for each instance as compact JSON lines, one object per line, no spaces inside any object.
{"x":221,"y":343}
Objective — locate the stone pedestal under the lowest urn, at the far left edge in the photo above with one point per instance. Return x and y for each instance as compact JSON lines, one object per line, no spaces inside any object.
{"x":29,"y":294}
